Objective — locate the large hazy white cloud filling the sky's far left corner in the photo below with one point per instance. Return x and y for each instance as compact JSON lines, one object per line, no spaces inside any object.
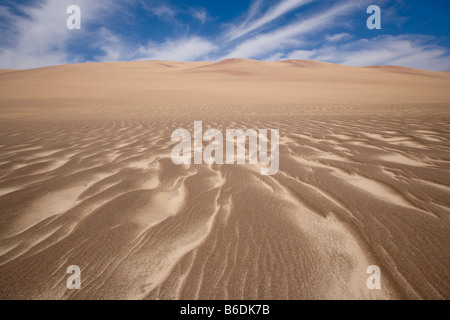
{"x":39,"y":37}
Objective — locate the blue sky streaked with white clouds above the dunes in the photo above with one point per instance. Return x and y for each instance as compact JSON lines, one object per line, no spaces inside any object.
{"x":414,"y":33}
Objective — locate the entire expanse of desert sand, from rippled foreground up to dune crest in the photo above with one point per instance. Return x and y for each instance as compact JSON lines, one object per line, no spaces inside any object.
{"x":86,"y":179}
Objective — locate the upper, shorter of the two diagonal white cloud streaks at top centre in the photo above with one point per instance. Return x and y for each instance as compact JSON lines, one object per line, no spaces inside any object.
{"x":272,"y":14}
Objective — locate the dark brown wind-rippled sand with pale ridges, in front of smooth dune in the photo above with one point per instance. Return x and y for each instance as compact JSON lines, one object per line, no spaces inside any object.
{"x":106,"y":196}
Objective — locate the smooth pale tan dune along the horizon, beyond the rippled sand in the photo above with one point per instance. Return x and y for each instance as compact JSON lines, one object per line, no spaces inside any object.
{"x":232,"y":80}
